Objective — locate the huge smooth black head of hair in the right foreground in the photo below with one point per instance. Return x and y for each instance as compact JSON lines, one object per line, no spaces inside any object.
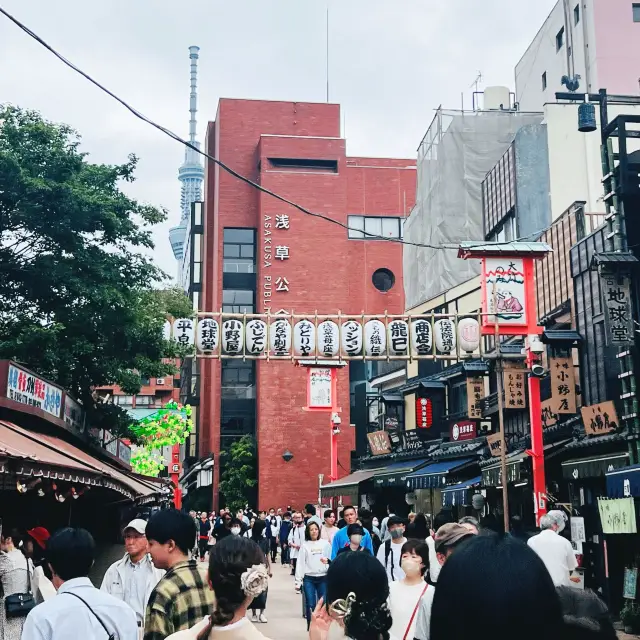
{"x":486,"y":573}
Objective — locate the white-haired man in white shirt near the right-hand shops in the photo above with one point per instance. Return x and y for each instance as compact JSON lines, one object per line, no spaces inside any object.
{"x":555,"y":551}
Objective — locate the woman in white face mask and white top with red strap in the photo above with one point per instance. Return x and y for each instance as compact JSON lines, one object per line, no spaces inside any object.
{"x":405,"y":594}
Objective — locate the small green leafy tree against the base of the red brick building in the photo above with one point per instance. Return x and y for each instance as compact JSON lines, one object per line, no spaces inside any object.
{"x":239,"y":478}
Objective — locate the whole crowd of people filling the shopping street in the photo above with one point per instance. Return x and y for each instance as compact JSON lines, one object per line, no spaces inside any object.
{"x":360,"y":579}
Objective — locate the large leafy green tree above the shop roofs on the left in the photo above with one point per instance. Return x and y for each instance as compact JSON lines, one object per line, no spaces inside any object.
{"x":77,"y":298}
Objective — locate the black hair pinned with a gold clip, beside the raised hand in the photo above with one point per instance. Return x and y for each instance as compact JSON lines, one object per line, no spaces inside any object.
{"x":364,"y":576}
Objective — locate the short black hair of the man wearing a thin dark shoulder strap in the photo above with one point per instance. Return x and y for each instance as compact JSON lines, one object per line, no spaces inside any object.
{"x":71,"y":553}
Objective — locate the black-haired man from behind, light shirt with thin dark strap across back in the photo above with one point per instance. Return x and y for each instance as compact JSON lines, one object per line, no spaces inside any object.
{"x":79,"y":610}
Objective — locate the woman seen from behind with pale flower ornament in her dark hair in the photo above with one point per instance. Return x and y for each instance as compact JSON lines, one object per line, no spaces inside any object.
{"x":237,"y":575}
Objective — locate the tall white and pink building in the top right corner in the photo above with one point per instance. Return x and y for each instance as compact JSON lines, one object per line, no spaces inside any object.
{"x":599,"y":40}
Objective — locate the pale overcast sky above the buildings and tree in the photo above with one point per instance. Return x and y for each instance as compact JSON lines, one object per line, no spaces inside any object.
{"x":391,"y":63}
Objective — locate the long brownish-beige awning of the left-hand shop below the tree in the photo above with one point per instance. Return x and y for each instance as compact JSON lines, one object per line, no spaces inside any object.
{"x":37,"y":455}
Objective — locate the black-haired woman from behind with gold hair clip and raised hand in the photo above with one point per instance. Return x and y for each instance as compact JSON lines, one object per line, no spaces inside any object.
{"x":356,"y":606}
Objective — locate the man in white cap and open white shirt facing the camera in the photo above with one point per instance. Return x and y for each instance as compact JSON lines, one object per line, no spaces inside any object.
{"x":133,"y":578}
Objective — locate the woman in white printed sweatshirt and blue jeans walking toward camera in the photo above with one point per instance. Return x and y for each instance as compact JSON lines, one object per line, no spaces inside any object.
{"x":312,"y":567}
